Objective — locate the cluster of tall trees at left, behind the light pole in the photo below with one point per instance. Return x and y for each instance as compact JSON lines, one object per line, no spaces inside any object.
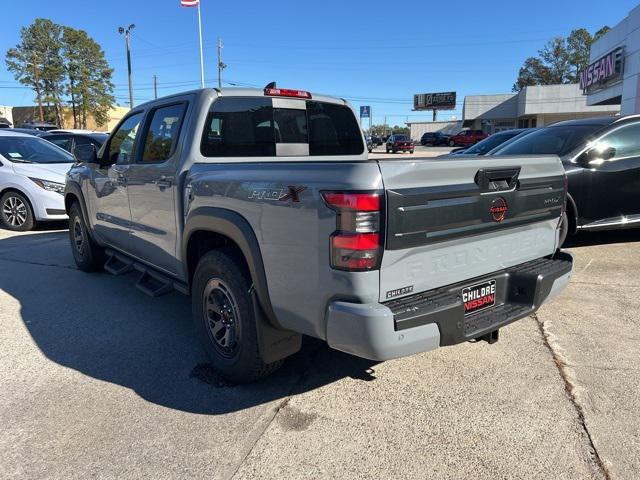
{"x":63,"y":65}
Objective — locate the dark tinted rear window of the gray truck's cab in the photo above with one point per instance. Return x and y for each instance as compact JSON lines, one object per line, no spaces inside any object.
{"x":252,"y":127}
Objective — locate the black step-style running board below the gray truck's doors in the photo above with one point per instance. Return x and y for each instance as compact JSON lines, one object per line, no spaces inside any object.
{"x":150,"y":282}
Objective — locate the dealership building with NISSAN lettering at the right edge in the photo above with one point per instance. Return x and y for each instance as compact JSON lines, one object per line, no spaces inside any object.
{"x":613,"y":75}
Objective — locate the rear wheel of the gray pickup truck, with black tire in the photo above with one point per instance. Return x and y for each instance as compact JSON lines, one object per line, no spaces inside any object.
{"x":225,"y":319}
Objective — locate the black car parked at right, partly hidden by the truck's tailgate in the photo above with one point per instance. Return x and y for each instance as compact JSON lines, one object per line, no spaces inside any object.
{"x":602,"y":159}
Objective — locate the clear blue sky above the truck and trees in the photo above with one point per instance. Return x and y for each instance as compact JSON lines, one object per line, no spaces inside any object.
{"x":374,"y":53}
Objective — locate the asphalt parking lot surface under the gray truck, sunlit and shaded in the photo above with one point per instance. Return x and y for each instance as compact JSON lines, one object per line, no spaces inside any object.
{"x":98,"y":380}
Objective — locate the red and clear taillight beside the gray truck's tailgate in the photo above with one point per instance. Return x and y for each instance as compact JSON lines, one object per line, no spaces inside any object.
{"x":356,"y":245}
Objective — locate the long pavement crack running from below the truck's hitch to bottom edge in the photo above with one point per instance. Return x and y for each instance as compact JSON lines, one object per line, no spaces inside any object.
{"x":570,"y":389}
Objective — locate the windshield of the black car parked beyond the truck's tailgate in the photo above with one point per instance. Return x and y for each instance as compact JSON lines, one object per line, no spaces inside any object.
{"x":550,"y":140}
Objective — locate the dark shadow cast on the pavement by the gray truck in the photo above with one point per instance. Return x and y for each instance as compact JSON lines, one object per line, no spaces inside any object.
{"x":103,"y":327}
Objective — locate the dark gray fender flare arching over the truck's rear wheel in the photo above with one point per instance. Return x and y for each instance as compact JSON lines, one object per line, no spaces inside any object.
{"x":236,"y":228}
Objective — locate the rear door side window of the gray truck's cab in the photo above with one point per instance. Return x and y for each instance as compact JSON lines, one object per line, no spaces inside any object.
{"x":162,"y":134}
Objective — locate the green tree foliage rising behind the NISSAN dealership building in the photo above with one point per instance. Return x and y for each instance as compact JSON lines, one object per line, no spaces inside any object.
{"x":559,"y":61}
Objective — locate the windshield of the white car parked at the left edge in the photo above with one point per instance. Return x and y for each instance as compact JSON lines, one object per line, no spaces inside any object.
{"x":32,"y":150}
